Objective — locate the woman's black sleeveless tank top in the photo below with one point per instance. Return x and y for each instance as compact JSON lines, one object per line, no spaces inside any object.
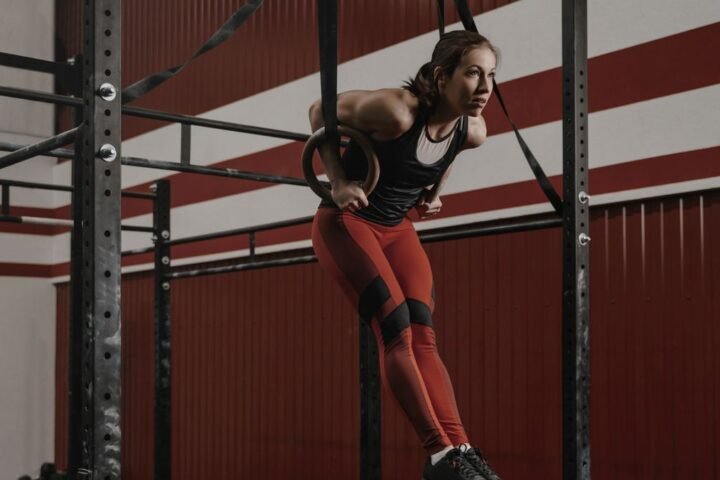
{"x":402,"y":175}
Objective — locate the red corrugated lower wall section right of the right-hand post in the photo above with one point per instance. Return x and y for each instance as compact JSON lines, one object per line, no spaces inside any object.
{"x":656,"y":268}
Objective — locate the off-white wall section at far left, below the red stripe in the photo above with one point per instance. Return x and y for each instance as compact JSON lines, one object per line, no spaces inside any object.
{"x":27,"y":374}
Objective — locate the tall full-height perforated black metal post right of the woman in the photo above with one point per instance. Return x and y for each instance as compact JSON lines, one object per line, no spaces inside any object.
{"x":576,"y":256}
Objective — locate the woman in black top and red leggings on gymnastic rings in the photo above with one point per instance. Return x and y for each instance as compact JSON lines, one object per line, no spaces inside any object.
{"x":369,"y":245}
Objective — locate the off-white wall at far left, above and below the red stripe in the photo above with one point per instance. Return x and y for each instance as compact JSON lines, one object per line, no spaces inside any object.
{"x":27,"y":305}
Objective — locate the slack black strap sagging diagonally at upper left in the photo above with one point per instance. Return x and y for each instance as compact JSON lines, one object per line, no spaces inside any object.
{"x":144,"y":86}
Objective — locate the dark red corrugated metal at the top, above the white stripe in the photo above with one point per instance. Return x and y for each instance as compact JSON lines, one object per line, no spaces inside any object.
{"x":277,"y":45}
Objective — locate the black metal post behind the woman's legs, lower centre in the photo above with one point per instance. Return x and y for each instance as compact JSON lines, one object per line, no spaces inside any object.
{"x":370,"y":466}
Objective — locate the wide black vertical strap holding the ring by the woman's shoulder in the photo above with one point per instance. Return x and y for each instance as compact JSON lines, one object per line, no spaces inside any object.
{"x":327,"y":36}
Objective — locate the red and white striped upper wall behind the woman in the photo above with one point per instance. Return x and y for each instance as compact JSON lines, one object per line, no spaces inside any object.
{"x":652,"y":128}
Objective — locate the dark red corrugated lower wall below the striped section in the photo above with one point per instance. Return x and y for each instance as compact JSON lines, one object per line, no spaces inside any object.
{"x":265,"y":362}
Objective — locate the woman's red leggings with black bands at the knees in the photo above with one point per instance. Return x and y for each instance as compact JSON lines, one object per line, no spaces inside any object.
{"x":386,"y":273}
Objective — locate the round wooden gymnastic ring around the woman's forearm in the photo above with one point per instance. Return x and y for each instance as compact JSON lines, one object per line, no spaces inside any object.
{"x":317,"y":138}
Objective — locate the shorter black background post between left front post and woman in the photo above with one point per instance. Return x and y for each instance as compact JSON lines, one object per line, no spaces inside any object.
{"x":161,"y":224}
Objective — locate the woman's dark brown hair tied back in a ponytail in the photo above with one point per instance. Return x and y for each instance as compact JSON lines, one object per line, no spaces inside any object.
{"x":447,"y":54}
